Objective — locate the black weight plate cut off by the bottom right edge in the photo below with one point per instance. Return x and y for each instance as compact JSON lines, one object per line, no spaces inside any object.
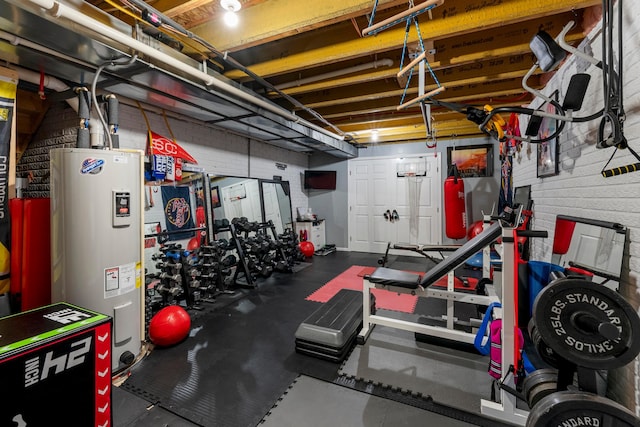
{"x":570,"y":408}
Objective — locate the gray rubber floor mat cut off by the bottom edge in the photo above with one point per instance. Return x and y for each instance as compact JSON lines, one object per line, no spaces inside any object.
{"x":317,"y":403}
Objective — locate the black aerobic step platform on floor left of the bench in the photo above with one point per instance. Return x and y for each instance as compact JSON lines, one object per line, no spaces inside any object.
{"x":330,"y":331}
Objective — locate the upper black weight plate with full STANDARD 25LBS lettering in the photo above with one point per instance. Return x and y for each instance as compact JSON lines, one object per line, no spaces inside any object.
{"x":554,"y":313}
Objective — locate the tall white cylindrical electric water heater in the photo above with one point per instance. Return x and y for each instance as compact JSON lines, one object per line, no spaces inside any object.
{"x":96,"y":239}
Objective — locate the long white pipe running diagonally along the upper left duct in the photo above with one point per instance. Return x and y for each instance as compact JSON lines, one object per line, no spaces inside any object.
{"x":59,"y":10}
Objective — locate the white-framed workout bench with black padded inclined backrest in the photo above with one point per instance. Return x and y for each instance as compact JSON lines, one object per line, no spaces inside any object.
{"x":415,"y":284}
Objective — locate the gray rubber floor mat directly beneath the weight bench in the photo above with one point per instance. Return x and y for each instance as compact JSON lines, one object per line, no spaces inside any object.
{"x":392,"y":357}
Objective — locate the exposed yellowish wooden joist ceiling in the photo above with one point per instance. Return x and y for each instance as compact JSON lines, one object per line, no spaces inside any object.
{"x":478,"y":51}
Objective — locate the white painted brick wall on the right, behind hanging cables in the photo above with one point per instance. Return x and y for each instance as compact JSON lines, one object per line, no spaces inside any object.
{"x":580,"y":190}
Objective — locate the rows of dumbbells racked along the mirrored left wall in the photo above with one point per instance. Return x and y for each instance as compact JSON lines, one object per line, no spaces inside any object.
{"x":191,"y":277}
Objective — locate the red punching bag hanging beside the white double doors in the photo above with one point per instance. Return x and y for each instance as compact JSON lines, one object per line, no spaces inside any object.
{"x":454,"y":205}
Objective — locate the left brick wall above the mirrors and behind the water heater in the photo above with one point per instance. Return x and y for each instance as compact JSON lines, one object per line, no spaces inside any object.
{"x":217,"y":152}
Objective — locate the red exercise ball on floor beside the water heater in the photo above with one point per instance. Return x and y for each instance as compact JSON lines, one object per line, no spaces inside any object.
{"x":169,"y":326}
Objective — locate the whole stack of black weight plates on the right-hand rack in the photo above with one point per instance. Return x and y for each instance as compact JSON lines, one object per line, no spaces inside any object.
{"x":581,"y":330}
